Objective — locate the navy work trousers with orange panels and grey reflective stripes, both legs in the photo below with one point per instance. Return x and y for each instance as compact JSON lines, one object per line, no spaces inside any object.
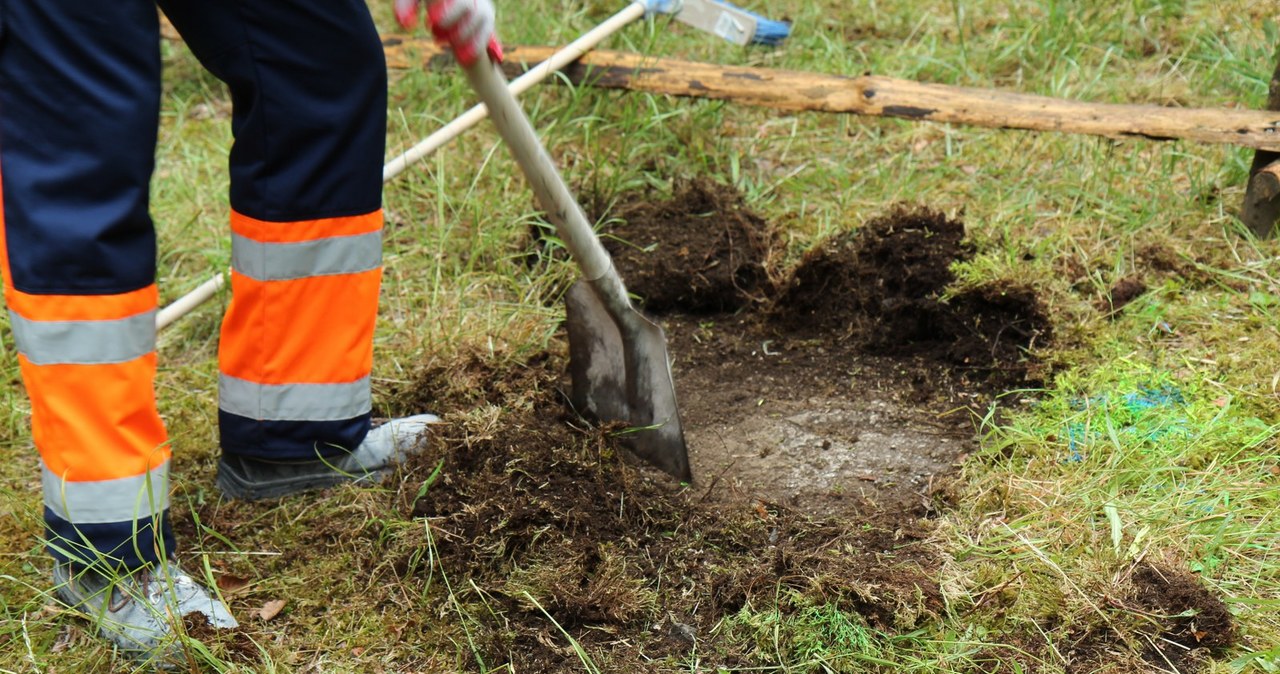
{"x":80,"y":100}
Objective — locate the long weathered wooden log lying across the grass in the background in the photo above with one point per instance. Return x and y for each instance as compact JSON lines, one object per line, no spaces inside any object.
{"x":886,"y":97}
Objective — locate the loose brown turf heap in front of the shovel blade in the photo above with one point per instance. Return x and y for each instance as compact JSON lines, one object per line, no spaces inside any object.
{"x":551,"y":522}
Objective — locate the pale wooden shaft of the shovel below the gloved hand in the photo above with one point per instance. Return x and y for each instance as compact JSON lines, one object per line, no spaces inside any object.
{"x":546,"y":181}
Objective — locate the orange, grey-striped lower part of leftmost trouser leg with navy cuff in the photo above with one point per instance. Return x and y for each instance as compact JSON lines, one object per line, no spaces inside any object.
{"x":89,"y":364}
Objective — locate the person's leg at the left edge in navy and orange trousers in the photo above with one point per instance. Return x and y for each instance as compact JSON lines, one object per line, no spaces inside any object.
{"x":79,"y":114}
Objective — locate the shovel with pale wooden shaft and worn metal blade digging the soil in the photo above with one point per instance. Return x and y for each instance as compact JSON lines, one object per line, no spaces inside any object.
{"x":618,"y":357}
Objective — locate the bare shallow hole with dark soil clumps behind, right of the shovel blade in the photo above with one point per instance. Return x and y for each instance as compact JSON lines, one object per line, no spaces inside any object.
{"x":828,"y":395}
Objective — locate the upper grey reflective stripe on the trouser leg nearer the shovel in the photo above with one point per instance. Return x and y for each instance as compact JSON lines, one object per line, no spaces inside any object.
{"x":321,"y":258}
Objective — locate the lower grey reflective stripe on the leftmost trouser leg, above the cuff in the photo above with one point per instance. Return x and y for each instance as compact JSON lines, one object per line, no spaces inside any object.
{"x":108,"y":501}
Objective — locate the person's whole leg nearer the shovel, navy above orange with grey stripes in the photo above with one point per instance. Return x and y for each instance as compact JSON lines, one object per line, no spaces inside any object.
{"x":309,"y":85}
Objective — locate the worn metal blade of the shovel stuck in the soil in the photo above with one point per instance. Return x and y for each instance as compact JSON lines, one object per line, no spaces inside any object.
{"x":620,"y":372}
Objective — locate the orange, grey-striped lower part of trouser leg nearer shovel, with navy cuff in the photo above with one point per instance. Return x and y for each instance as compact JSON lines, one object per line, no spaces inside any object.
{"x":298,"y":341}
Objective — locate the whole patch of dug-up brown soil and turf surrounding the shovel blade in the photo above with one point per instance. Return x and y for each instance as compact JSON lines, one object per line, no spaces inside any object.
{"x":826,"y":405}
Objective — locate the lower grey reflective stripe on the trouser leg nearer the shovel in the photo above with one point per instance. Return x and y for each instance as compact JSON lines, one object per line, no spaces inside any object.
{"x":294,"y":402}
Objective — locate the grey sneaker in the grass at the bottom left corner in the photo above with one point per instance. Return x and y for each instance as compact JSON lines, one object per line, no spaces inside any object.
{"x":138,"y":611}
